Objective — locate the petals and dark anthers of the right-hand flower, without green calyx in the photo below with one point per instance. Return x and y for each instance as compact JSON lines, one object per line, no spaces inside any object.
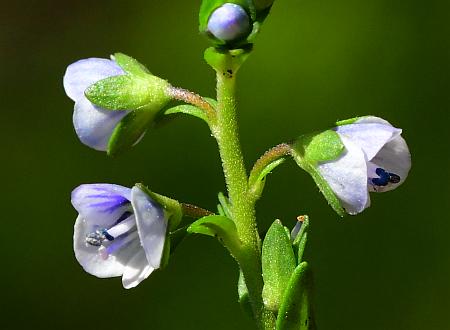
{"x":376,"y":159}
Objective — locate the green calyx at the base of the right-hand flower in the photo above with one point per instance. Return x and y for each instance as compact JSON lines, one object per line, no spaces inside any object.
{"x":311,"y":149}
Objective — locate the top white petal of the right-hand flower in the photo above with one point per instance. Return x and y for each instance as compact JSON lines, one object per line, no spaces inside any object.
{"x":371,"y":137}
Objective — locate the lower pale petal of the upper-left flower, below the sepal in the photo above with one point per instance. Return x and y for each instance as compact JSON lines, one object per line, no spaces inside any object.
{"x":93,"y":125}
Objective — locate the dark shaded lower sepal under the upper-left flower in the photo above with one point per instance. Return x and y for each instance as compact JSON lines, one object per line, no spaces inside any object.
{"x":129,"y":130}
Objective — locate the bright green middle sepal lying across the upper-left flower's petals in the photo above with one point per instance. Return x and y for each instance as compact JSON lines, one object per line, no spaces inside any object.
{"x":128,"y":92}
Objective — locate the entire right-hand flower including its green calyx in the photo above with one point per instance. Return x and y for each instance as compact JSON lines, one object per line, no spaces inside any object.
{"x":359,"y":156}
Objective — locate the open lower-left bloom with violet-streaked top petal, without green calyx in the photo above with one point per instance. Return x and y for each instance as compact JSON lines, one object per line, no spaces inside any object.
{"x":118,"y":232}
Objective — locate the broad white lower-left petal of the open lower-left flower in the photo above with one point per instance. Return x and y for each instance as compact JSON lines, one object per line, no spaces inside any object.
{"x":92,"y":261}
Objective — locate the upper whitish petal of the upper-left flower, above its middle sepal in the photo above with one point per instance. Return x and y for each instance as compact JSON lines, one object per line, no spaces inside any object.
{"x":83,"y":73}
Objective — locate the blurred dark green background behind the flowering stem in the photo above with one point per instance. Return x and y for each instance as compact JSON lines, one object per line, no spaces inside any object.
{"x":315,"y":61}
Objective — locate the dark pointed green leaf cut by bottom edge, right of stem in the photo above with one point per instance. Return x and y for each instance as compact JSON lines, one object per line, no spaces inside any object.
{"x":296,"y":312}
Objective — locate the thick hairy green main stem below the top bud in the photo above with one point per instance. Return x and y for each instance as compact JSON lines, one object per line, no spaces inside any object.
{"x":226,"y":133}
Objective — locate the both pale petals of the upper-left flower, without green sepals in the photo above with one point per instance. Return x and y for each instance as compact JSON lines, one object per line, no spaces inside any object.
{"x":93,"y":124}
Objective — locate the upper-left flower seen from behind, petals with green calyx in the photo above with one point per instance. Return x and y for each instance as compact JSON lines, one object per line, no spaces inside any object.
{"x":105,"y":92}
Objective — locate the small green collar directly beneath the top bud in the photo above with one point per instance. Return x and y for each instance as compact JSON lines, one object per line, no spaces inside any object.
{"x":226,"y":62}
